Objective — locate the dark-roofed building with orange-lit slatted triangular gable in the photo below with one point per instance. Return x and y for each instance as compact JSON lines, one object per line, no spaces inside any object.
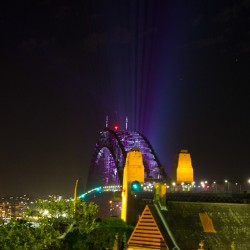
{"x":185,"y":225}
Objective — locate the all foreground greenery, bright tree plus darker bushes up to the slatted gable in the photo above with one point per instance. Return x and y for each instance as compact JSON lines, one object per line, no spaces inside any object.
{"x":60,"y":224}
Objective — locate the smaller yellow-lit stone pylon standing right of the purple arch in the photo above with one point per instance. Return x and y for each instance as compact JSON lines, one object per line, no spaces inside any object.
{"x":184,"y":169}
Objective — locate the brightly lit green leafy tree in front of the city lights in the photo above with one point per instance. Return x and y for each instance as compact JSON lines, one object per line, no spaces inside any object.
{"x":47,"y":225}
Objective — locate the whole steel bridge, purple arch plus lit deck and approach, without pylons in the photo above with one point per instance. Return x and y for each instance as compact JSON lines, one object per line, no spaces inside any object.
{"x":106,"y":174}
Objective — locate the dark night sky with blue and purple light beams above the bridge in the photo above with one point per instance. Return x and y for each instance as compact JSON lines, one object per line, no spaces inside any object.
{"x":179,"y":70}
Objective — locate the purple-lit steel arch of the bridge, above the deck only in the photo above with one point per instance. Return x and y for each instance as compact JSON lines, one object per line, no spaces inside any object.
{"x":109,"y":158}
